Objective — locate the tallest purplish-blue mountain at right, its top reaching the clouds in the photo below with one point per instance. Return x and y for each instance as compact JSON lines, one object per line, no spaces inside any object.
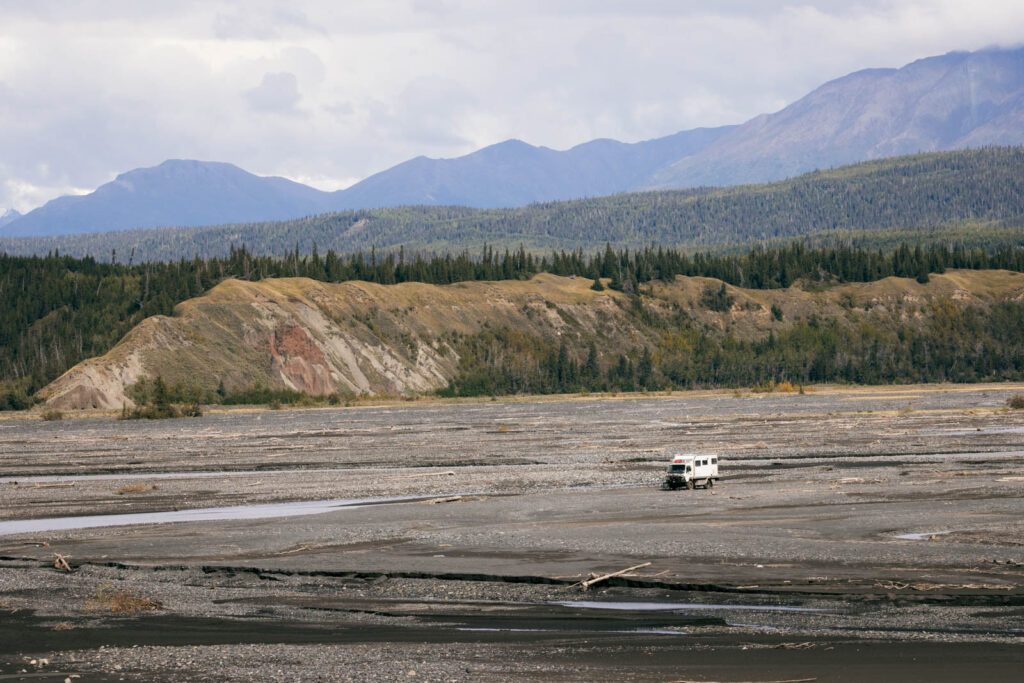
{"x":958,"y":101}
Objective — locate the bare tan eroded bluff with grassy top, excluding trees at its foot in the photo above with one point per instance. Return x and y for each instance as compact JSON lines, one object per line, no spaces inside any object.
{"x":360,"y":338}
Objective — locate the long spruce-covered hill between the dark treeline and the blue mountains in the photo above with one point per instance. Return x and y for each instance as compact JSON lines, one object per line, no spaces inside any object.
{"x":976,"y":194}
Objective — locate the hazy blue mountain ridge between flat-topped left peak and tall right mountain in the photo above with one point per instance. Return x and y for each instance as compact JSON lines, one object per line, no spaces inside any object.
{"x":515,"y":174}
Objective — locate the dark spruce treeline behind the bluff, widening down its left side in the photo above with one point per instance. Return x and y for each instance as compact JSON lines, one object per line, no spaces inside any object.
{"x":58,"y":311}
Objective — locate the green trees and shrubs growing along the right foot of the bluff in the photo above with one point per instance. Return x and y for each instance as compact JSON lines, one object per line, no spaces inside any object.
{"x":952,"y":345}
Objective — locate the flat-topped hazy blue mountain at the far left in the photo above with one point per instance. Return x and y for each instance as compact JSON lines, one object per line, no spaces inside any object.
{"x":175,"y":194}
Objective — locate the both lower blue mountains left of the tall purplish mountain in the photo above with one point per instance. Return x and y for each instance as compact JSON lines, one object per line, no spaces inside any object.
{"x":513,"y":174}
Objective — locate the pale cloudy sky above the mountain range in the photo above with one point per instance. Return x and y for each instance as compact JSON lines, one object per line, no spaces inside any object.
{"x":327,"y":93}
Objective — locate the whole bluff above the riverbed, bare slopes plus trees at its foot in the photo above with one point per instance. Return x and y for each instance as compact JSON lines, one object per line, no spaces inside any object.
{"x":298,"y":338}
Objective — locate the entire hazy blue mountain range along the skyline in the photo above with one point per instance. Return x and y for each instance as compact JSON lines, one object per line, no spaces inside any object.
{"x":957,"y":101}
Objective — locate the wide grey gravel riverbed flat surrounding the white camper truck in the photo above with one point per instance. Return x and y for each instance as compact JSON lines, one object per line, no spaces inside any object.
{"x":894,"y":516}
